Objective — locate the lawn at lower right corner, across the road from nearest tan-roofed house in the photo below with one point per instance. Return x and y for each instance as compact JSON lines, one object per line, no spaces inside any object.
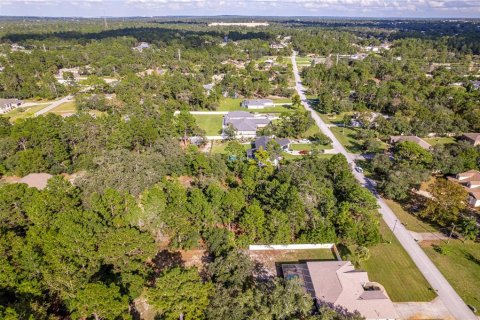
{"x":461,"y":267}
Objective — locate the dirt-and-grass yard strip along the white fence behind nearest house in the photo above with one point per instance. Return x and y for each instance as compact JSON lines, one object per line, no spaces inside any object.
{"x":272,"y":259}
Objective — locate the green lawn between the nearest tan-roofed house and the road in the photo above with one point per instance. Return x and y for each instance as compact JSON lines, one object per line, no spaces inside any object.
{"x":392,"y":267}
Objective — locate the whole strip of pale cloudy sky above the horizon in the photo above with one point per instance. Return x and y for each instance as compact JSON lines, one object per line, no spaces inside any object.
{"x":355,"y":8}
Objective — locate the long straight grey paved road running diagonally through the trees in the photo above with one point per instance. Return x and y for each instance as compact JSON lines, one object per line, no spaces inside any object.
{"x":449,"y":297}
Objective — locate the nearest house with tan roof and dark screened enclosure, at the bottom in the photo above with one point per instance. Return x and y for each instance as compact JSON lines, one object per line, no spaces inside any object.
{"x":338,"y":283}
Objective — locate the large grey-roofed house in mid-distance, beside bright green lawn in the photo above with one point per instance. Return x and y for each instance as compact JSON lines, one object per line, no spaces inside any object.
{"x":245,"y":123}
